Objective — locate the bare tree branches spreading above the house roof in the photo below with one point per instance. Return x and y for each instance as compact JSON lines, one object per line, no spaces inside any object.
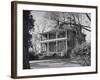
{"x":68,"y":18}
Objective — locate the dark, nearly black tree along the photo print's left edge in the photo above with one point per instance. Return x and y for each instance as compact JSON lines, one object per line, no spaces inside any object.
{"x":28,"y":23}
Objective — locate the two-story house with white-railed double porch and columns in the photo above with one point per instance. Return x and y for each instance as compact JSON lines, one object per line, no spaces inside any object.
{"x":59,"y":40}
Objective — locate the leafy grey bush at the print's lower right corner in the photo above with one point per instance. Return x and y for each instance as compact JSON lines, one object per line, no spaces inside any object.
{"x":82,"y":53}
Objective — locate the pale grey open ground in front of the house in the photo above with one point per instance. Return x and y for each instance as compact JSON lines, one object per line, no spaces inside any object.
{"x":53,"y":63}
